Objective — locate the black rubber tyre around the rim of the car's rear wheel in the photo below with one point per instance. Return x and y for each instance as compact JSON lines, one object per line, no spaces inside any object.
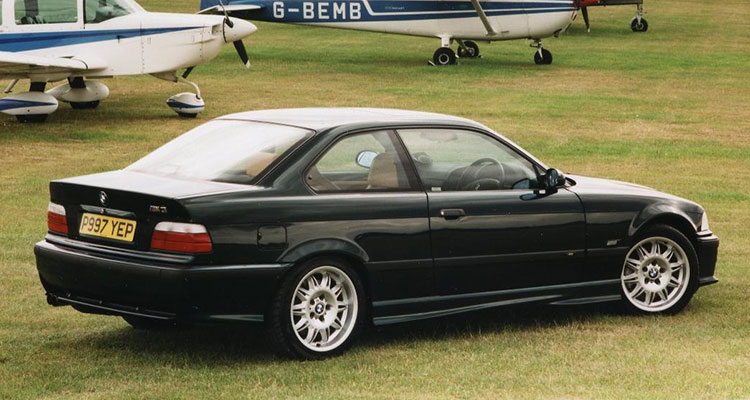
{"x":279,"y":330}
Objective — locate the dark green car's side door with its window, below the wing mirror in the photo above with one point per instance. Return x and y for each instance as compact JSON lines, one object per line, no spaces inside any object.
{"x":491,"y":229}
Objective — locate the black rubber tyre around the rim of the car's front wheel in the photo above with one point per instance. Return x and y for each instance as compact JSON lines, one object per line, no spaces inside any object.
{"x":674,"y":234}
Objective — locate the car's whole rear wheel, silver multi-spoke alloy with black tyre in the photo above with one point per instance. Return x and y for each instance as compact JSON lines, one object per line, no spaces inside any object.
{"x":308,"y":318}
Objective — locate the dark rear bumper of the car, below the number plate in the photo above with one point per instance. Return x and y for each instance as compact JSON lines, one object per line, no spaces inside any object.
{"x":116,"y":283}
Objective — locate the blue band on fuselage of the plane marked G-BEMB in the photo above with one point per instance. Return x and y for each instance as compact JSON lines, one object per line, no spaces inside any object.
{"x":318,"y":11}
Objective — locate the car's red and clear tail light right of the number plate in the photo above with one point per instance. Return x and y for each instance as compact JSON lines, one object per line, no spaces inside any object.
{"x":181,"y":238}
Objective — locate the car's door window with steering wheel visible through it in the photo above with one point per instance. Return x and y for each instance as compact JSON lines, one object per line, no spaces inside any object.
{"x":458,"y":160}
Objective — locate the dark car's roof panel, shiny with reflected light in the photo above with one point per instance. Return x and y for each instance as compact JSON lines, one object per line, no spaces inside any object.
{"x":323,"y":118}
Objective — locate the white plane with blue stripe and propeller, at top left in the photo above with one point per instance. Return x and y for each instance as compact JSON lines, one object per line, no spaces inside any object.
{"x":54,"y":40}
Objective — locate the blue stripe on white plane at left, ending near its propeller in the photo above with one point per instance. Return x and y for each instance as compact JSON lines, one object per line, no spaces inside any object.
{"x":15,"y":42}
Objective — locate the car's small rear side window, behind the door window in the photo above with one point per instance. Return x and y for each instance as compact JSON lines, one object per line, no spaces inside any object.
{"x":365,"y":162}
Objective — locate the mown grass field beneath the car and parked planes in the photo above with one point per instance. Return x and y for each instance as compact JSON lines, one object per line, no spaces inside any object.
{"x":668,"y":109}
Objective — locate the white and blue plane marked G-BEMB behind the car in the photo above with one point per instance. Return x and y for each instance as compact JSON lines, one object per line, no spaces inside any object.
{"x":463,"y":21}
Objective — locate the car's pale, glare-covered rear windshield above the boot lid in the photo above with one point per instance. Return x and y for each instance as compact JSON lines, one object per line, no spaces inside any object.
{"x":222,"y":151}
